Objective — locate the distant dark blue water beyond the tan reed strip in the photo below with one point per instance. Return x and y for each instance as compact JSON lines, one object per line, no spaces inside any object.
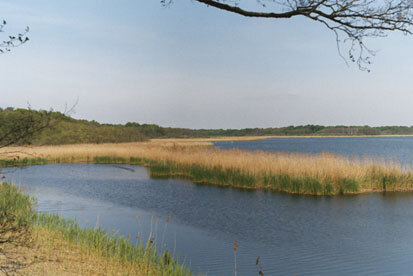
{"x":390,"y":148}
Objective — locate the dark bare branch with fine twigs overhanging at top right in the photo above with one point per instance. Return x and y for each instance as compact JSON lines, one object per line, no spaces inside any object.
{"x":351,"y":20}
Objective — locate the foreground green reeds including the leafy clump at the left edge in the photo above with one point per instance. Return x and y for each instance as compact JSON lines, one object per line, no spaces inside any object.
{"x":17,"y":218}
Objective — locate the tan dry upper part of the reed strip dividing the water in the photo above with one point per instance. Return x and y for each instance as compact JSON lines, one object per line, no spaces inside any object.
{"x":368,"y":173}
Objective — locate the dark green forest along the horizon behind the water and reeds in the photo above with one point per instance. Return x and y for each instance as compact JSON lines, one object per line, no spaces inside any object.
{"x":63,"y":129}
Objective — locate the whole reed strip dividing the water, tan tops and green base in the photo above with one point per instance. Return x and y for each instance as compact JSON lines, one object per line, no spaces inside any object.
{"x":317,"y":174}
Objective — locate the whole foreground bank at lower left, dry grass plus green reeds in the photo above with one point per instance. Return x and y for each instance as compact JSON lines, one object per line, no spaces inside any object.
{"x":33,"y":244}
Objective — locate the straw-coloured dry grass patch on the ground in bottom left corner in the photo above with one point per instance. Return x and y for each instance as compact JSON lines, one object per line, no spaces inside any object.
{"x":49,"y":253}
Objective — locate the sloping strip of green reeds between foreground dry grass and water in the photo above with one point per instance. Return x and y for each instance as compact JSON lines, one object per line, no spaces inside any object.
{"x":140,"y":256}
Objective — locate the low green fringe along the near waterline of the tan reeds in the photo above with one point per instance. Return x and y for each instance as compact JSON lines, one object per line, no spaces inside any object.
{"x":347,"y":187}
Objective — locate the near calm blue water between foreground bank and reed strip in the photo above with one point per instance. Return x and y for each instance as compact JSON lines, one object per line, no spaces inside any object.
{"x":293,"y":235}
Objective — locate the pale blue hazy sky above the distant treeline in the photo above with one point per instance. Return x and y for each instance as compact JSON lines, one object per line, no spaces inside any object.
{"x":189,"y":65}
